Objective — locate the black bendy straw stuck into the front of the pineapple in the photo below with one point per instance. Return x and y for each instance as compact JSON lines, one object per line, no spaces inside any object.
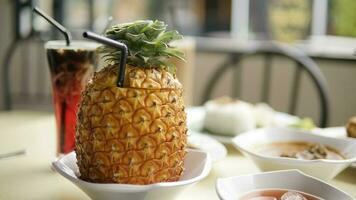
{"x":112,"y":43}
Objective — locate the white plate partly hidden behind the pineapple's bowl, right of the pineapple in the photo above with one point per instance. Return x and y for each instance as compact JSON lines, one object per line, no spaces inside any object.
{"x":216,"y":150}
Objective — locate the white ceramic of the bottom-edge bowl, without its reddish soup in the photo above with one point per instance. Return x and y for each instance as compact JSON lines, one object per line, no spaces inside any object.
{"x":233,"y":187}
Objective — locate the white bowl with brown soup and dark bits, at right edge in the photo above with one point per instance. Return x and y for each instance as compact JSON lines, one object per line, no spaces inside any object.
{"x":282,"y":148}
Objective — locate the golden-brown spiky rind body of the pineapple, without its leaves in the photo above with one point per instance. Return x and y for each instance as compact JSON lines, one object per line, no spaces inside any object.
{"x":135,"y":134}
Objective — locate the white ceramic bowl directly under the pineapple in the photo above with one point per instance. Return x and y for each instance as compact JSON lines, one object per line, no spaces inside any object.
{"x":197,"y":166}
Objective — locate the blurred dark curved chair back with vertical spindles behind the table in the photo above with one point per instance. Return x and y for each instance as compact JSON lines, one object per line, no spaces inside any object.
{"x":268,"y":51}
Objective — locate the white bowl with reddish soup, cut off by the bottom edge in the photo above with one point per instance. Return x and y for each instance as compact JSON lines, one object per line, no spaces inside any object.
{"x":277,"y":185}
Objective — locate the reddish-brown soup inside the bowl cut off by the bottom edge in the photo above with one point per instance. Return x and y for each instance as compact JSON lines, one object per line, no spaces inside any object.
{"x":277,"y":194}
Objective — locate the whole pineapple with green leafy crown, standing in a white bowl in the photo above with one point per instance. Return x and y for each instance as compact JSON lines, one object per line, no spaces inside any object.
{"x":135,"y":134}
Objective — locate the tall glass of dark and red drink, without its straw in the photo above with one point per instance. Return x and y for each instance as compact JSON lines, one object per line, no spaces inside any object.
{"x":70,"y":67}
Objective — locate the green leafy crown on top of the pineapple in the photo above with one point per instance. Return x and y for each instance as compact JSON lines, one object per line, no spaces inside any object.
{"x":147,"y":42}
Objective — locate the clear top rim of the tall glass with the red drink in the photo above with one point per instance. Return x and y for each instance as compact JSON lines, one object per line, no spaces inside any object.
{"x":74,"y":44}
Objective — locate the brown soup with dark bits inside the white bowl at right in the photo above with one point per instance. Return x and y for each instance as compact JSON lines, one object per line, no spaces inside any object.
{"x":299,"y":150}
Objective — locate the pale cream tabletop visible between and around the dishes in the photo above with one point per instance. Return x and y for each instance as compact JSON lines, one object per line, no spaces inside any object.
{"x":30,"y":176}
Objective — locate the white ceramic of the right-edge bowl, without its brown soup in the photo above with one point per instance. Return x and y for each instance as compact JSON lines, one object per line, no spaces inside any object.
{"x":324,"y":169}
